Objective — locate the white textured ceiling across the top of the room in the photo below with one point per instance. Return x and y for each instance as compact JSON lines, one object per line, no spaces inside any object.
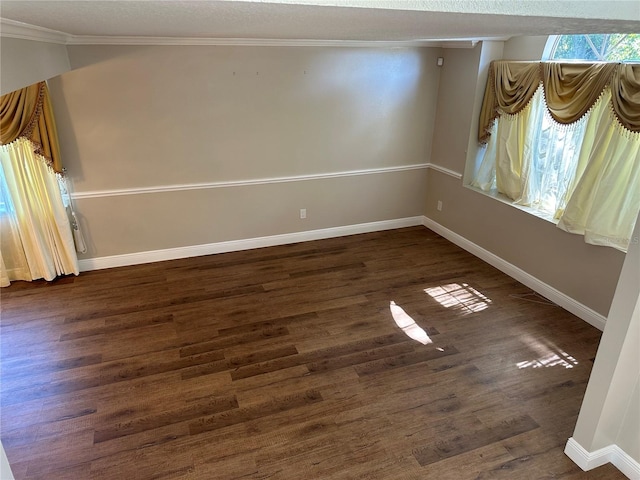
{"x":327,"y":20}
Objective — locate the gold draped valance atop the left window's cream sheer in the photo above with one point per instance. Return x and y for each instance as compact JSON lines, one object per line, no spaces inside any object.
{"x":27,"y":113}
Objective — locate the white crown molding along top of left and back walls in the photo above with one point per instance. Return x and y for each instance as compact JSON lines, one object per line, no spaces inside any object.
{"x":13,"y":29}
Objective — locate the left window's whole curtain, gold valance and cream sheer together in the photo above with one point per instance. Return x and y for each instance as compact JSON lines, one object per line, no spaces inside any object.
{"x":36,"y":239}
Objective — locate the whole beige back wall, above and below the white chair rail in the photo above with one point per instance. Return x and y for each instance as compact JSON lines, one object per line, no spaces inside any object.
{"x":146,"y":117}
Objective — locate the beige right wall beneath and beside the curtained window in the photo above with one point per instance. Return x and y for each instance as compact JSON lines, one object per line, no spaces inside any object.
{"x":584,"y":272}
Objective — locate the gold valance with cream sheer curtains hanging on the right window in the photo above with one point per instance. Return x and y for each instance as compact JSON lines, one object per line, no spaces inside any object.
{"x":563,"y":142}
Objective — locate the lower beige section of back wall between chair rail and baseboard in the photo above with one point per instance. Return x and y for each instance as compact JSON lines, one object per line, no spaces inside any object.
{"x":147,"y":222}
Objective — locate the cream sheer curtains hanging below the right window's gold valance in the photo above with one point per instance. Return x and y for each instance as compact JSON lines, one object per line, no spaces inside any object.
{"x":585,"y":175}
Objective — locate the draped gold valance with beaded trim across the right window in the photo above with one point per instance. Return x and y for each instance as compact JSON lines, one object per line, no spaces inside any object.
{"x":570,"y":90}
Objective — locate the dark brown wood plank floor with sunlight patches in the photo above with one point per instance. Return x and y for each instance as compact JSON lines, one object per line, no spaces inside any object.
{"x":286,"y":363}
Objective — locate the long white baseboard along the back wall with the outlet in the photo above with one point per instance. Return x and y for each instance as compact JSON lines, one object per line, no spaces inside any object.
{"x":137,"y":258}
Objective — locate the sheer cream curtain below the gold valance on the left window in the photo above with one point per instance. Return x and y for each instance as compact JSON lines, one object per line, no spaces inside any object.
{"x":36,"y":238}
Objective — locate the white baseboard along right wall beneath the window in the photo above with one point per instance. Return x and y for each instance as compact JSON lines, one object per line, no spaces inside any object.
{"x":578,"y":309}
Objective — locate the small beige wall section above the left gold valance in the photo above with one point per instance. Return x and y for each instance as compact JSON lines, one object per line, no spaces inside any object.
{"x":25,"y":62}
